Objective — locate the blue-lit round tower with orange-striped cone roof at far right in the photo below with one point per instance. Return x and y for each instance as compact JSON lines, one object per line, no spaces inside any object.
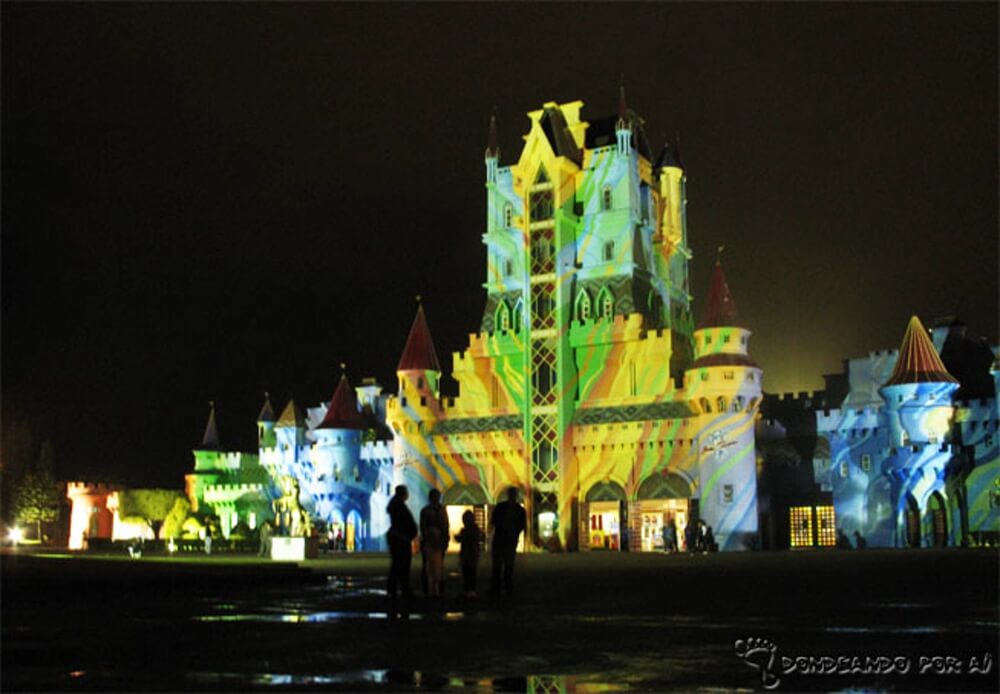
{"x":919,"y":411}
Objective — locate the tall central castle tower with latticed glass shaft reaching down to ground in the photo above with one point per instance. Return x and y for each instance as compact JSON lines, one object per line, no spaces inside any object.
{"x":584,"y":232}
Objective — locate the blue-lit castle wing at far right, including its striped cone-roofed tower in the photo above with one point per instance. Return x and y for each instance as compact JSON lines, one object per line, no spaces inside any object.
{"x":914,"y":456}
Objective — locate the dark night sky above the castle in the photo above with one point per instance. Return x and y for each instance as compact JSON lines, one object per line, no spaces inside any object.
{"x":210,"y":201}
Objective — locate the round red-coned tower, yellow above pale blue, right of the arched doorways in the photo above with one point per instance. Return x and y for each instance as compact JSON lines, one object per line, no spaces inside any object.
{"x":723,"y":388}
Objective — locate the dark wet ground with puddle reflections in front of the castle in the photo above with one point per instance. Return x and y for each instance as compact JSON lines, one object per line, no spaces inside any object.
{"x":581,"y":622}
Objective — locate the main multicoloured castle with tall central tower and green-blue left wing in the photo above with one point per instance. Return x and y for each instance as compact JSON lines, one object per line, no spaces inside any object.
{"x":587,"y":386}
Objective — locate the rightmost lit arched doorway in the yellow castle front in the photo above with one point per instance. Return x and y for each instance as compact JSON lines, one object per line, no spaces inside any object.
{"x":664,"y":500}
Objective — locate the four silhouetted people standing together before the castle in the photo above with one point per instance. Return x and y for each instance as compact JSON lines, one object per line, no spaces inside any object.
{"x":506,"y":525}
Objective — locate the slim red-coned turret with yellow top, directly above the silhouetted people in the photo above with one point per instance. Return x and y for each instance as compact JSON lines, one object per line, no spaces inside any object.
{"x":415,"y":409}
